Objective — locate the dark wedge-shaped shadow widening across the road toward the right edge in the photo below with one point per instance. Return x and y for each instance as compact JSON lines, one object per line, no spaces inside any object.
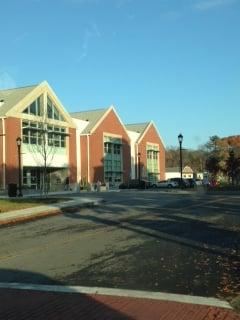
{"x":180,"y":230}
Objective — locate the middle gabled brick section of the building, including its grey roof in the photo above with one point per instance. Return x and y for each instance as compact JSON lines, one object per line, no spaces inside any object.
{"x":104,"y":148}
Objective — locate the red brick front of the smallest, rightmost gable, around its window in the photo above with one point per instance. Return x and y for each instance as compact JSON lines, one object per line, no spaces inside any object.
{"x":152,"y":137}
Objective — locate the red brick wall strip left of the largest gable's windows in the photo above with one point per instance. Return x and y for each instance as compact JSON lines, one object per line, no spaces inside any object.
{"x":13,"y":130}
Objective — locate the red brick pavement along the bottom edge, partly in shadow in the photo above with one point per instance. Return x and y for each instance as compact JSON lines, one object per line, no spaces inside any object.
{"x":25,"y":304}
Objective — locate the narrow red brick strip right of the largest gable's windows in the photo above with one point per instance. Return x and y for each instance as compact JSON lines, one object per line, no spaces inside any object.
{"x":72,"y":156}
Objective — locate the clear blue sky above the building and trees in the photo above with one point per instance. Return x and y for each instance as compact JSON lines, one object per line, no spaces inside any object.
{"x":176,"y":62}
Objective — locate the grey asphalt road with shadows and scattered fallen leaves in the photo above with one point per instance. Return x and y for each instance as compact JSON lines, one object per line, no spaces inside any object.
{"x":148,"y":240}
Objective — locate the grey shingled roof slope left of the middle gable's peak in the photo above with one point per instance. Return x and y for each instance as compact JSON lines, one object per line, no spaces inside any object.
{"x":92,"y":116}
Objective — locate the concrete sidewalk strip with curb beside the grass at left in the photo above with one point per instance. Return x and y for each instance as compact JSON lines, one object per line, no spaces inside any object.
{"x":45,"y":210}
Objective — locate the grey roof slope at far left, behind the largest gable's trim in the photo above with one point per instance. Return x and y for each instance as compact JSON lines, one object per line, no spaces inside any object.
{"x":11,"y":97}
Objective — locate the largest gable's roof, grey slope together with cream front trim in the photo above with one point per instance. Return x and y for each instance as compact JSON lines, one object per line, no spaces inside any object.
{"x":18,"y":99}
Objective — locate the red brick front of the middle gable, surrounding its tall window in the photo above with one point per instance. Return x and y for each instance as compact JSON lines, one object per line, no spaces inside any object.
{"x":110,"y":125}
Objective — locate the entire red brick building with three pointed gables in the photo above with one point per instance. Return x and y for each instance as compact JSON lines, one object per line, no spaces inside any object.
{"x":92,"y":146}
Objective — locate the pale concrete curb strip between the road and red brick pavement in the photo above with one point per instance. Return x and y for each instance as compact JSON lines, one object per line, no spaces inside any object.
{"x":162,"y":296}
